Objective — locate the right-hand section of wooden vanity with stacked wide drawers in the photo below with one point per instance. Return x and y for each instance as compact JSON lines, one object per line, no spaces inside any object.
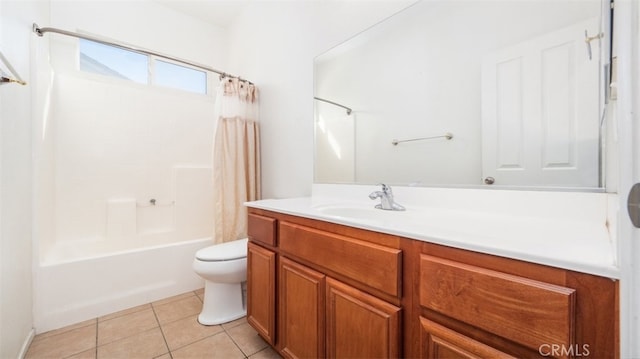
{"x":478,"y":305}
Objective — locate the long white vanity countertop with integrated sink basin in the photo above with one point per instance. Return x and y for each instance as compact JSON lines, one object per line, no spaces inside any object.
{"x":571,"y":230}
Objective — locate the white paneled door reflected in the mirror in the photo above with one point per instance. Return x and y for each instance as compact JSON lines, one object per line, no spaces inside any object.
{"x":540,"y":111}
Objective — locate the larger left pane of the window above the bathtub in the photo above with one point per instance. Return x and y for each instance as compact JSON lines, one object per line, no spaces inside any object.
{"x":113,"y":61}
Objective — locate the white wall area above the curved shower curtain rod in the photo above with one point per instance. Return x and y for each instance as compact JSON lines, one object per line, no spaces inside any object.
{"x":146,"y":24}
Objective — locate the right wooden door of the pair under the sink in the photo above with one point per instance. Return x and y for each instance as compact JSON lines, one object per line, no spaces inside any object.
{"x":360,"y":325}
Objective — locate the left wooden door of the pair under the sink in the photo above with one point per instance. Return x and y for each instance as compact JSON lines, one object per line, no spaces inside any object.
{"x":301,"y":310}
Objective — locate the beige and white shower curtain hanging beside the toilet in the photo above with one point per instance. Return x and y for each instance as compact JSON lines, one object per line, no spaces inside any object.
{"x":236,"y":157}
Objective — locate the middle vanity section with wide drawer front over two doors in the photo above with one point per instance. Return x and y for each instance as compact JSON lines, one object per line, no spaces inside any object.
{"x":342,"y":321}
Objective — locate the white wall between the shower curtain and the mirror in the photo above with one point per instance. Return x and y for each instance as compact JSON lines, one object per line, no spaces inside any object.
{"x":273,"y":44}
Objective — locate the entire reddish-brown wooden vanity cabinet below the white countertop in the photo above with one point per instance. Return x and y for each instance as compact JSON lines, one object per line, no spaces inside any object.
{"x":318,"y":289}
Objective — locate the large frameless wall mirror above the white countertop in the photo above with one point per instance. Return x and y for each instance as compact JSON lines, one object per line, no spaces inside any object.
{"x":515,"y":84}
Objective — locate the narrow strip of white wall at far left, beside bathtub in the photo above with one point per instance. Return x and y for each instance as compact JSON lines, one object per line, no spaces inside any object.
{"x":16,"y":109}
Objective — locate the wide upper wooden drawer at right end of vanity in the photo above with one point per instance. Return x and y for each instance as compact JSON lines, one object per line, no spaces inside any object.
{"x":528,"y":312}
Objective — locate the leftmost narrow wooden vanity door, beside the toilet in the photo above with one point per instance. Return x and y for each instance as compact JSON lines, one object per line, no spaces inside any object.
{"x":261,"y":291}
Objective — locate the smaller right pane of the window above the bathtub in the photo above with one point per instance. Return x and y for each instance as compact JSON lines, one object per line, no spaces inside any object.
{"x":180,"y":77}
